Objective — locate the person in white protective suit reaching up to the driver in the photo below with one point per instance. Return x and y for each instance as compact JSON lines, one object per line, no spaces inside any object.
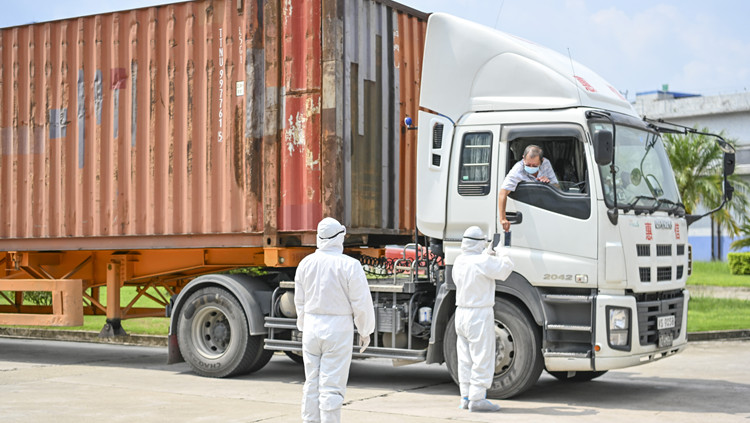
{"x":474,"y":273}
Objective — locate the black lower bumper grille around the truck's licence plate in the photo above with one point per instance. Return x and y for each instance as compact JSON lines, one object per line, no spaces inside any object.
{"x":651,"y":306}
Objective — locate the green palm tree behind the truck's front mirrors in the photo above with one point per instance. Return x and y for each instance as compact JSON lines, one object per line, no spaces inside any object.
{"x":698,"y":165}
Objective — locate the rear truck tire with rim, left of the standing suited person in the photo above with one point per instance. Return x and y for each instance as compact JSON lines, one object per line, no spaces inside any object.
{"x":214,"y":337}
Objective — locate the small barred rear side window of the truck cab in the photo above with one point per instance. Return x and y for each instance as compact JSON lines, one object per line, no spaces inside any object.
{"x":474,"y":171}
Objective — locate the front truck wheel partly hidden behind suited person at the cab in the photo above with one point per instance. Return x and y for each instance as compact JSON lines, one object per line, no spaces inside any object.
{"x":518,"y":357}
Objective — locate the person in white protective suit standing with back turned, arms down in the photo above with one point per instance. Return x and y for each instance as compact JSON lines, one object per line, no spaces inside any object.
{"x":330,"y":288}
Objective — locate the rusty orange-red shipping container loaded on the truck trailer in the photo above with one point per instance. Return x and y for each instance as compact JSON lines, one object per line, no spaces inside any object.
{"x":209,"y":124}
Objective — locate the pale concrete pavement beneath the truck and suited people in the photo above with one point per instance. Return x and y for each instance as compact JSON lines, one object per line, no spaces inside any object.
{"x":80,"y":382}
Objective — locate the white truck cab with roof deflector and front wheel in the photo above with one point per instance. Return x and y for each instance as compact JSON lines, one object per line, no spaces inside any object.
{"x":600,"y":260}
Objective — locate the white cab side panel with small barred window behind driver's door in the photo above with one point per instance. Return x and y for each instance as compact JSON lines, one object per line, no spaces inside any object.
{"x":472,"y":185}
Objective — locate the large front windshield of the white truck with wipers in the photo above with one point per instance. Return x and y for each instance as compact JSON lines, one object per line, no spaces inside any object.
{"x":643,"y":174}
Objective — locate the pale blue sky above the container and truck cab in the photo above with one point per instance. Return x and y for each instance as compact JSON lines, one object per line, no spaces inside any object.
{"x":637,"y":45}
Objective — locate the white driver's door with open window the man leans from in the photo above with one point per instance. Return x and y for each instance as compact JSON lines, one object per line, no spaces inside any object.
{"x":556,"y":244}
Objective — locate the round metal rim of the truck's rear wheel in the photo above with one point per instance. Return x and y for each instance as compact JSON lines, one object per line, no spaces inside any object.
{"x":211,"y":332}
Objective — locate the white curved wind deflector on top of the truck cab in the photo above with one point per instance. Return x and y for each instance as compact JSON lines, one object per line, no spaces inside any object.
{"x":470,"y":68}
